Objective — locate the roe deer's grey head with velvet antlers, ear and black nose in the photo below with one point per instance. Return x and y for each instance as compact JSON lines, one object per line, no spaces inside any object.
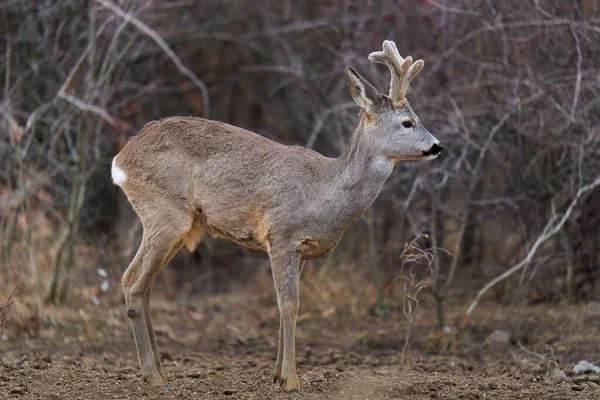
{"x":390,"y":124}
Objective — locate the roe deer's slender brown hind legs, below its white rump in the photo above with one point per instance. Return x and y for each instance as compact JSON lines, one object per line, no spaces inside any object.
{"x":161,"y":240}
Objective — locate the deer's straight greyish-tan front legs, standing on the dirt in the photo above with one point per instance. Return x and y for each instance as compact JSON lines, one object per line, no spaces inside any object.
{"x":286,"y":274}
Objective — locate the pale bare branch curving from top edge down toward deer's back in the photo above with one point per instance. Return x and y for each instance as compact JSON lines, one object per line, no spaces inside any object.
{"x":165,"y":47}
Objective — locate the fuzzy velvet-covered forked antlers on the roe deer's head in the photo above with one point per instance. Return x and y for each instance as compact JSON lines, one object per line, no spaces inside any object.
{"x":403,"y":69}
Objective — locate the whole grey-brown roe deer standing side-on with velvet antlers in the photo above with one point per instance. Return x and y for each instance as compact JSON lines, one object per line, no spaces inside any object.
{"x":186,"y":175}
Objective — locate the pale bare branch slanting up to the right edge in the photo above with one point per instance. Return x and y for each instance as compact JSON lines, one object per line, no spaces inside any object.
{"x":550,"y":230}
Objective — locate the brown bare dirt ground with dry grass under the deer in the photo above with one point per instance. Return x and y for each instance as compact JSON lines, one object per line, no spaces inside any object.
{"x":217,"y":348}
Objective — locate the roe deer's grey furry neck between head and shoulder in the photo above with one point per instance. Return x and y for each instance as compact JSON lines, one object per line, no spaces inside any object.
{"x":360,"y":175}
